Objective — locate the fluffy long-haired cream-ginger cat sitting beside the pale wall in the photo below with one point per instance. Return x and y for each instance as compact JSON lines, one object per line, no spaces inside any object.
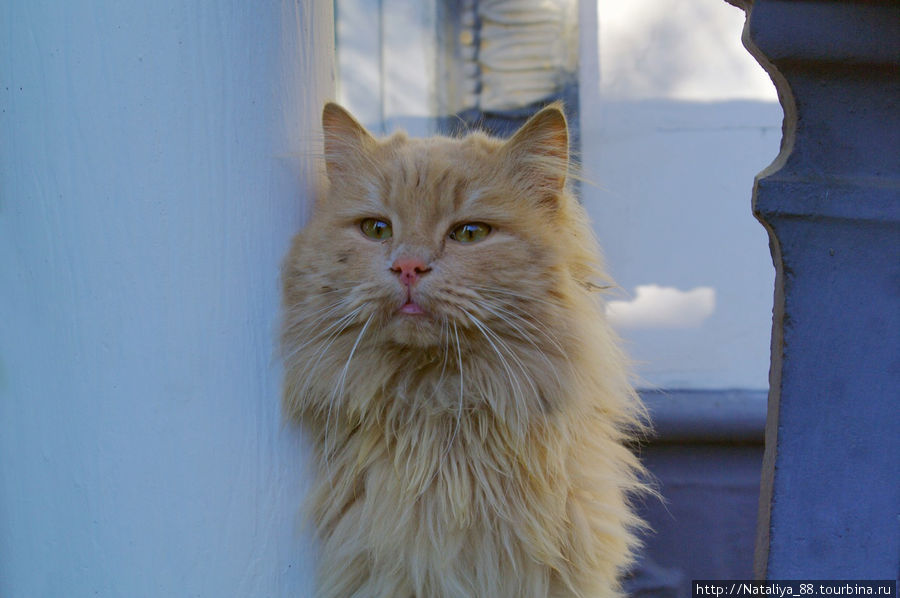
{"x":446,"y":351}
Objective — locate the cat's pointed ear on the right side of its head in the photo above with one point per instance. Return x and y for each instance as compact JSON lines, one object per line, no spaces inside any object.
{"x":539,"y":151}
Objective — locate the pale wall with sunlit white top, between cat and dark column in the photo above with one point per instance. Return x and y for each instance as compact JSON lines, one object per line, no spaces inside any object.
{"x":675,"y":125}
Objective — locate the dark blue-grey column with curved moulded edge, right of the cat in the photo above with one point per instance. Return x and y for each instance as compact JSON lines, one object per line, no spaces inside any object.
{"x":831,"y":203}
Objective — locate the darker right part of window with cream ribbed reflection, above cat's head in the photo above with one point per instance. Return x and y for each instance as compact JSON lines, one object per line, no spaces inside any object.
{"x":501,"y":59}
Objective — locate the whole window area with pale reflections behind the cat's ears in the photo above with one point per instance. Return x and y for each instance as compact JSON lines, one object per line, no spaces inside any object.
{"x":445,"y":65}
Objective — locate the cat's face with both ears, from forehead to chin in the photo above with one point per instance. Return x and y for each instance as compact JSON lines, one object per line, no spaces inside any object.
{"x":418,"y":240}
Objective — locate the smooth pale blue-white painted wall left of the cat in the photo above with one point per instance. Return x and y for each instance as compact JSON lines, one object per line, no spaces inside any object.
{"x":154,"y":161}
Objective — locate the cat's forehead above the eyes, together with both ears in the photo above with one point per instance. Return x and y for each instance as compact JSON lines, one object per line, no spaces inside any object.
{"x":442,"y":173}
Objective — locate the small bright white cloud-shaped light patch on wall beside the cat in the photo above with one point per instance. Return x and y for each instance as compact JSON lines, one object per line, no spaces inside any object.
{"x":663,"y":307}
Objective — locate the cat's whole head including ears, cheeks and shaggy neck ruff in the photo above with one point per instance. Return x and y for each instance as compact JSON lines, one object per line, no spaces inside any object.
{"x":464,"y":257}
